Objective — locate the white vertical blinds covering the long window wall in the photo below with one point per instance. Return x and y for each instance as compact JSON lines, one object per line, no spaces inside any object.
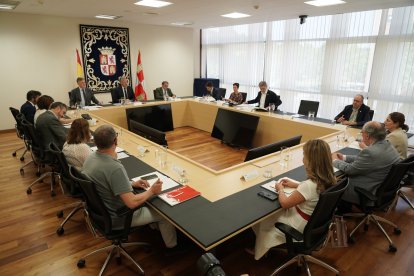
{"x":328,"y":59}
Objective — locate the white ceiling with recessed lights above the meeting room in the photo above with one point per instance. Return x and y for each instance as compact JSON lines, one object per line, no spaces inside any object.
{"x":202,"y":13}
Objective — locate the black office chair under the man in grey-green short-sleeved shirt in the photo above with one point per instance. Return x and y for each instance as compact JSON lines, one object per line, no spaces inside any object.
{"x":101,"y":220}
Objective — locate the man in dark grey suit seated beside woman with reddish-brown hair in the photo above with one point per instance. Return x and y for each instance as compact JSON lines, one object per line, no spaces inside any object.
{"x":49,"y":128}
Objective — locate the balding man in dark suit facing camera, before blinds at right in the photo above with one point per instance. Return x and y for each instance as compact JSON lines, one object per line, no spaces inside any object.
{"x":355,"y":114}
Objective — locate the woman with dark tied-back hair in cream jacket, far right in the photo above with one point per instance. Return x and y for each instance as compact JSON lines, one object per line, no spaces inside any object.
{"x":396,"y":133}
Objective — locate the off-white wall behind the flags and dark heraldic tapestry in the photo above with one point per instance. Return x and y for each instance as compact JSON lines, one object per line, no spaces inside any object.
{"x":38,"y":52}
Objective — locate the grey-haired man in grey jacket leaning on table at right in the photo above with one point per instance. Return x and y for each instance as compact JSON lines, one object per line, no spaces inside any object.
{"x":369,"y":168}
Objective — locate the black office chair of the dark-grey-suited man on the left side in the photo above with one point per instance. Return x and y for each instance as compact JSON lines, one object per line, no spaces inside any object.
{"x":40,"y":157}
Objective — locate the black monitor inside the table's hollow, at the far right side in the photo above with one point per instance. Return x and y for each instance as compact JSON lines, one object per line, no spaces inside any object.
{"x":235,"y":128}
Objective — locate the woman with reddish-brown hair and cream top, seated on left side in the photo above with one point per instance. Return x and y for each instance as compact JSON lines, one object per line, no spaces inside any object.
{"x":75,"y":148}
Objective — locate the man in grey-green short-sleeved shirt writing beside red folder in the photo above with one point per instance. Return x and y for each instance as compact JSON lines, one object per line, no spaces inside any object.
{"x":116,"y":190}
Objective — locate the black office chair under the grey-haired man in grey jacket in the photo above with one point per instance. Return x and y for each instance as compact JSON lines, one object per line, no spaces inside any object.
{"x":380,"y":201}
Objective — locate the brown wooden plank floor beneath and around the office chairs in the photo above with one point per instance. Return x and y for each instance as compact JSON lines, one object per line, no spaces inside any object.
{"x":29,"y":243}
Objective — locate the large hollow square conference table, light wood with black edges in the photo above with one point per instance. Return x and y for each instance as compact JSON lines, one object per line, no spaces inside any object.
{"x":228,"y":203}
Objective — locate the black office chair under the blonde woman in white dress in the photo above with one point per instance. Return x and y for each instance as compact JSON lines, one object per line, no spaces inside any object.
{"x":315,"y":232}
